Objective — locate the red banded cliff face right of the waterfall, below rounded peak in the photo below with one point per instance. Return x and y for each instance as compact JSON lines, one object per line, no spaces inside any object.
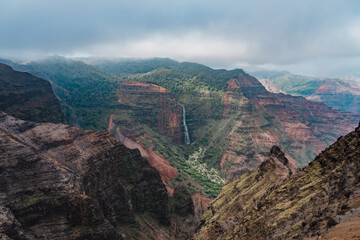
{"x":301,"y":127}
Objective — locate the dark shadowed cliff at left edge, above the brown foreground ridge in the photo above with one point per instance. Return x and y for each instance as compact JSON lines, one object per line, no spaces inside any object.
{"x":28,"y":97}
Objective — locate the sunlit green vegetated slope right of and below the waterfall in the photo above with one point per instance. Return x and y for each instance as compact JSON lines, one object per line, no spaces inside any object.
{"x":203,"y":101}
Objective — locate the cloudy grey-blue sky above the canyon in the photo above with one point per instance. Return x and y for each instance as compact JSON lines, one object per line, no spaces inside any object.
{"x":309,"y":37}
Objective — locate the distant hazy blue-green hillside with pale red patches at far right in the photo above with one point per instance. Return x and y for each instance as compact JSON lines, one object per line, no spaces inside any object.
{"x":336,"y":93}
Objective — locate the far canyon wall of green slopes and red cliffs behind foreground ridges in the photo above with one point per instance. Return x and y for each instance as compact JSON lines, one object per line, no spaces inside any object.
{"x":231,"y":118}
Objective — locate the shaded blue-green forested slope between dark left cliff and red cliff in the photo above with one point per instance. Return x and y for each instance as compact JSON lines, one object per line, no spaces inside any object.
{"x":86,"y":94}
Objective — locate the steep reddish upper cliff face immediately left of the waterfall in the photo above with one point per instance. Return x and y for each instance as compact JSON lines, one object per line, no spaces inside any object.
{"x":150,"y":105}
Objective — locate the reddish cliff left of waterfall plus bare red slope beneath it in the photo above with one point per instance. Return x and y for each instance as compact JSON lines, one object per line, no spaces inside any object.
{"x":144,"y":106}
